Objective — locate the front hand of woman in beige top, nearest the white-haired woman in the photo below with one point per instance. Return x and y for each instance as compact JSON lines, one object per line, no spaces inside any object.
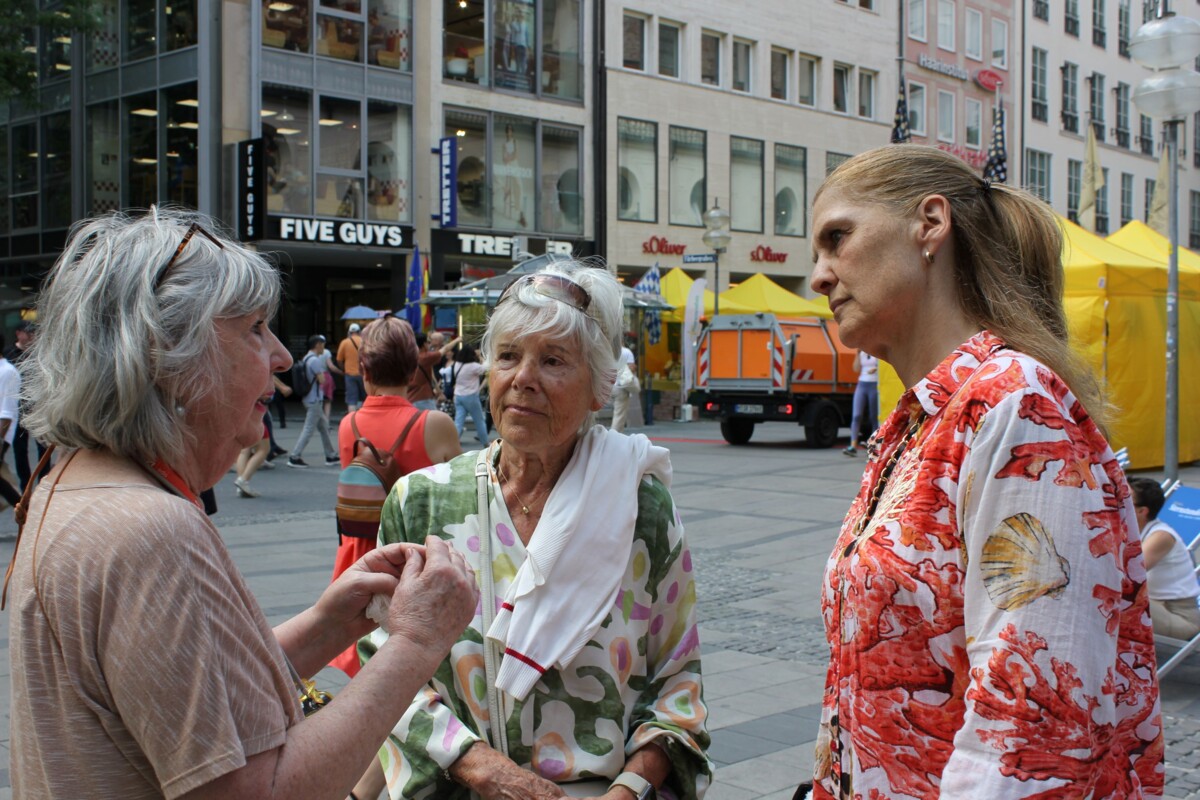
{"x":436,"y":598}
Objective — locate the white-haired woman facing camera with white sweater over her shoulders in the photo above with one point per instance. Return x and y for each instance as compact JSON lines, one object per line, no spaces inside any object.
{"x":580,"y":672}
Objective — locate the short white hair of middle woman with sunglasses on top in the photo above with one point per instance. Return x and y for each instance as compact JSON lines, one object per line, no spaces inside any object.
{"x":525,"y":312}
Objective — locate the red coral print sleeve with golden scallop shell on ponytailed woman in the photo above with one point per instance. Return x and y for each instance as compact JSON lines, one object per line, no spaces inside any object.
{"x":1060,"y":695}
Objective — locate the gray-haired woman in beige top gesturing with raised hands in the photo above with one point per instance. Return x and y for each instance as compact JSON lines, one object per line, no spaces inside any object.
{"x":142,"y":665}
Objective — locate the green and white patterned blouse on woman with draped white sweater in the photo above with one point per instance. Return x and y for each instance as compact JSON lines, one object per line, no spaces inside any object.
{"x":639,"y":681}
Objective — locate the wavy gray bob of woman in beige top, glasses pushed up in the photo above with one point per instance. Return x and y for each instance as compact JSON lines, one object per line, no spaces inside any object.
{"x":124,"y":345}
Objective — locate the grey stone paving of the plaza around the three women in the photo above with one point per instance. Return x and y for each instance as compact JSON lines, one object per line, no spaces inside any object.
{"x":760,"y":519}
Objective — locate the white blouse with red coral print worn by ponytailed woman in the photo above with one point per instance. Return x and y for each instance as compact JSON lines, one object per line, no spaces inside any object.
{"x":989,"y":629}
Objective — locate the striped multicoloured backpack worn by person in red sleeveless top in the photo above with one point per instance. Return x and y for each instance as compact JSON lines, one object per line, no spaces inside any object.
{"x":365,"y":483}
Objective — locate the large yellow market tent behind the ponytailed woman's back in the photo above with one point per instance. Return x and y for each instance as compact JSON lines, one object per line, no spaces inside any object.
{"x":1117,"y":308}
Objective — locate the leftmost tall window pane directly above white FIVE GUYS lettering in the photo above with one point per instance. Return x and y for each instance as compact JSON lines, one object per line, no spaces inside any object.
{"x":287,"y":139}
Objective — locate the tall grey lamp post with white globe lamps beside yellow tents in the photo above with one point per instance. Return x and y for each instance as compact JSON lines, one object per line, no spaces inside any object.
{"x":1166,"y":45}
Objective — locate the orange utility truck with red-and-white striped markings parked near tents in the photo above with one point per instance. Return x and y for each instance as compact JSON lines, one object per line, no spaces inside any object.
{"x":754,"y":369}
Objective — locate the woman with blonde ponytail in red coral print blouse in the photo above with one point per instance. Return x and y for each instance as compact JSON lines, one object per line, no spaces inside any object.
{"x":986,"y":600}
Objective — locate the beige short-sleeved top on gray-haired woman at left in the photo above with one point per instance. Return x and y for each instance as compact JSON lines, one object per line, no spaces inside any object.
{"x":142,"y":667}
